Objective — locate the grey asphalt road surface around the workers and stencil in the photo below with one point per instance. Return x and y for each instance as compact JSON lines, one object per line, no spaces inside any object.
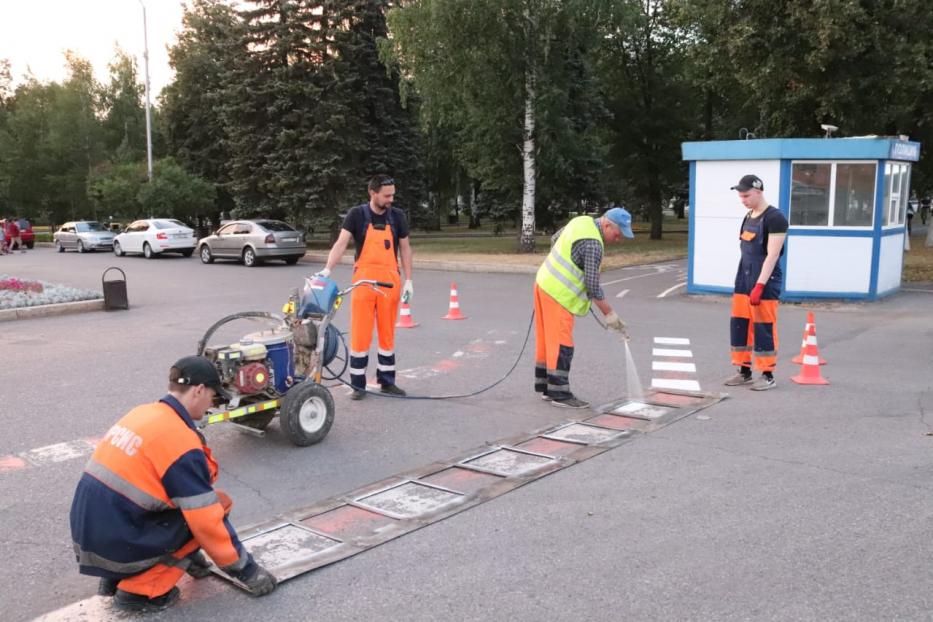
{"x":801,"y":503}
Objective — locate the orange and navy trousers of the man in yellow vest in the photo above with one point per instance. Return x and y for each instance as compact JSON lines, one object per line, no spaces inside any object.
{"x":553,"y":346}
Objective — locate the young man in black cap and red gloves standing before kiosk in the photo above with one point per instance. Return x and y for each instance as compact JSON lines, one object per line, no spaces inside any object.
{"x":758,"y":282}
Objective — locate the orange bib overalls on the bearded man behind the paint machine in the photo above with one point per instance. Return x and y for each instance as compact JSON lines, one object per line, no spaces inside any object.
{"x":377,"y":260}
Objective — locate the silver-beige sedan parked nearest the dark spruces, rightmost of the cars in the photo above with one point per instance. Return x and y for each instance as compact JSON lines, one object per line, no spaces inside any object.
{"x":253,"y":241}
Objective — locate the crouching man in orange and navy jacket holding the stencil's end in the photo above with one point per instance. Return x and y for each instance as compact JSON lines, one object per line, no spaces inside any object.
{"x":146,"y":504}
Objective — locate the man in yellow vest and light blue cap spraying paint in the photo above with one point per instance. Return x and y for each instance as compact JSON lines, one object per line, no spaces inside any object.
{"x":566,"y":284}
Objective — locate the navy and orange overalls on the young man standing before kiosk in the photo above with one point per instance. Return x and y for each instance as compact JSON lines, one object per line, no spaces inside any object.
{"x":753,"y":330}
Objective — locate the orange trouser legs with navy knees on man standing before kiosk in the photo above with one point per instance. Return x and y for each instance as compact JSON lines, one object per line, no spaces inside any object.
{"x":754,"y":333}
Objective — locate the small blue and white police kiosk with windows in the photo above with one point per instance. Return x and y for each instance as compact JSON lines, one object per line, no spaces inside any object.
{"x":845,"y":200}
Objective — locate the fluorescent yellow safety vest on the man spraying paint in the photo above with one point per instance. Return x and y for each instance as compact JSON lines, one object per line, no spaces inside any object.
{"x":558,"y":276}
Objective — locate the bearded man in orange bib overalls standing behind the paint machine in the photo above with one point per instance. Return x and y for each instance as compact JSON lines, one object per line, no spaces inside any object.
{"x":380,"y":233}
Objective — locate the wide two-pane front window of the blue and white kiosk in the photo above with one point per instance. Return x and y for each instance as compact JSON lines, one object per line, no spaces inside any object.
{"x":832,"y":194}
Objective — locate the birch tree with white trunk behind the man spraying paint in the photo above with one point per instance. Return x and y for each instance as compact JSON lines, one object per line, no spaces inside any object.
{"x":501,"y":74}
